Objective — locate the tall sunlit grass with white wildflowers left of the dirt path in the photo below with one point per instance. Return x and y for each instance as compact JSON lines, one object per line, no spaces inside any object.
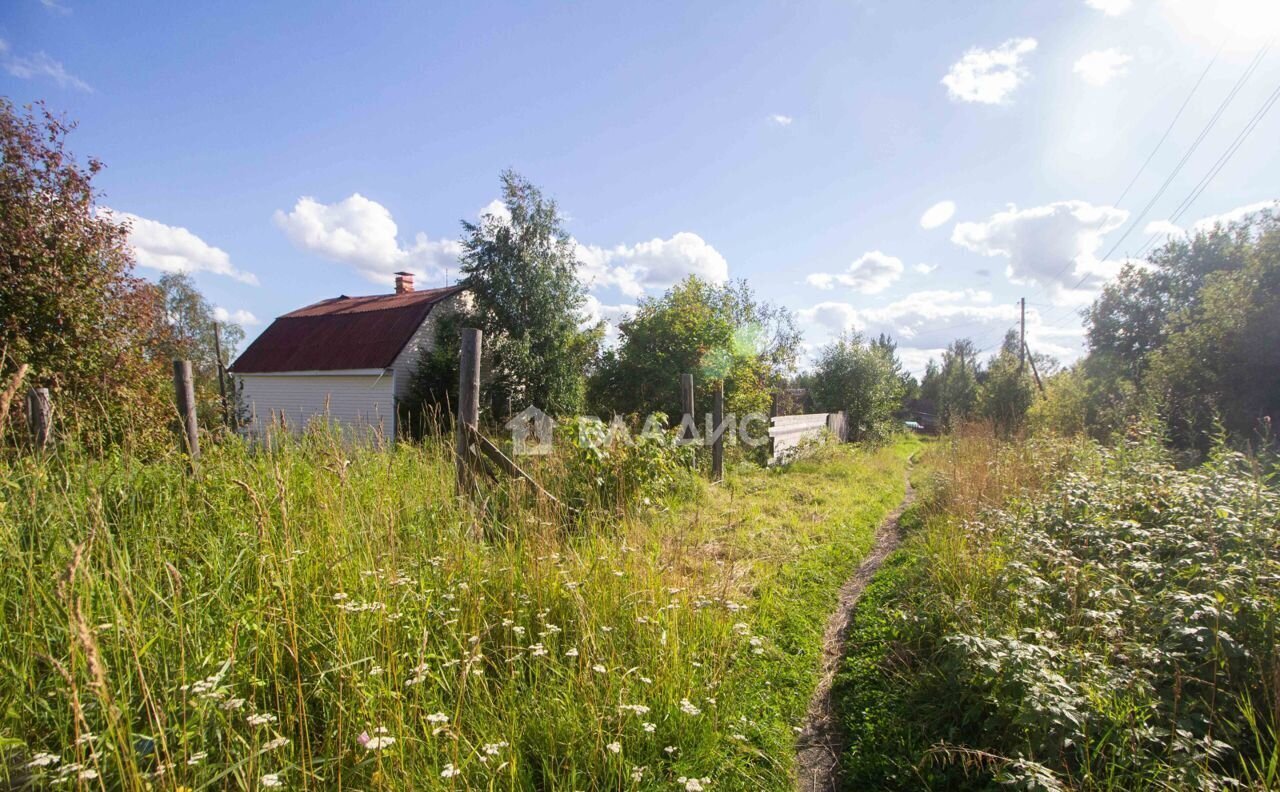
{"x":332,"y":616}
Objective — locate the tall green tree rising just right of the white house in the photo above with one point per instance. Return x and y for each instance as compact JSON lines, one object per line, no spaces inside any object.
{"x":522,"y":272}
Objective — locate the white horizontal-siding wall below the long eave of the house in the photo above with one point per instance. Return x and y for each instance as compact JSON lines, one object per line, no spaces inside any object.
{"x":363,"y":402}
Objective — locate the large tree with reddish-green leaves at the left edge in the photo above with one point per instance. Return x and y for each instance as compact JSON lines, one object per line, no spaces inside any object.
{"x":70,"y":304}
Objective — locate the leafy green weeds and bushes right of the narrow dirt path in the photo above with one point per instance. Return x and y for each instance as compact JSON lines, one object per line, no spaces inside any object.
{"x":1114,"y":628}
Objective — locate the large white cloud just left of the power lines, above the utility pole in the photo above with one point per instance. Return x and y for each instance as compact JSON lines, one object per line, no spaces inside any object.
{"x":1055,"y":246}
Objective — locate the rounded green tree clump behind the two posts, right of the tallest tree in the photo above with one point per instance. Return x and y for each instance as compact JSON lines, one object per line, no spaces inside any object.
{"x":717,"y":333}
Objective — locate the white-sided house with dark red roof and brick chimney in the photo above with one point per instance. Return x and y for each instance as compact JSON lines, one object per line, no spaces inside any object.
{"x":348,"y":359}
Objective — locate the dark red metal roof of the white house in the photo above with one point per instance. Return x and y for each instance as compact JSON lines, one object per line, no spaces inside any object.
{"x":341,"y":333}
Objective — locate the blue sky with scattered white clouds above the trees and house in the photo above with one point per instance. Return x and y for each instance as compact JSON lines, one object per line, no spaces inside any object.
{"x":289,"y":153}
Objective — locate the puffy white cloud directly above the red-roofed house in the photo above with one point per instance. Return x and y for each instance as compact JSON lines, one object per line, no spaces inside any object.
{"x":362,"y":234}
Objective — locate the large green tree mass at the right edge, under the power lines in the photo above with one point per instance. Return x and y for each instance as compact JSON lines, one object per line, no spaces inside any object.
{"x":1195,"y":335}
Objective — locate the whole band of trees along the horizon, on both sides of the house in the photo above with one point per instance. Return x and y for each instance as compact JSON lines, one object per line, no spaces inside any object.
{"x":1188,"y":340}
